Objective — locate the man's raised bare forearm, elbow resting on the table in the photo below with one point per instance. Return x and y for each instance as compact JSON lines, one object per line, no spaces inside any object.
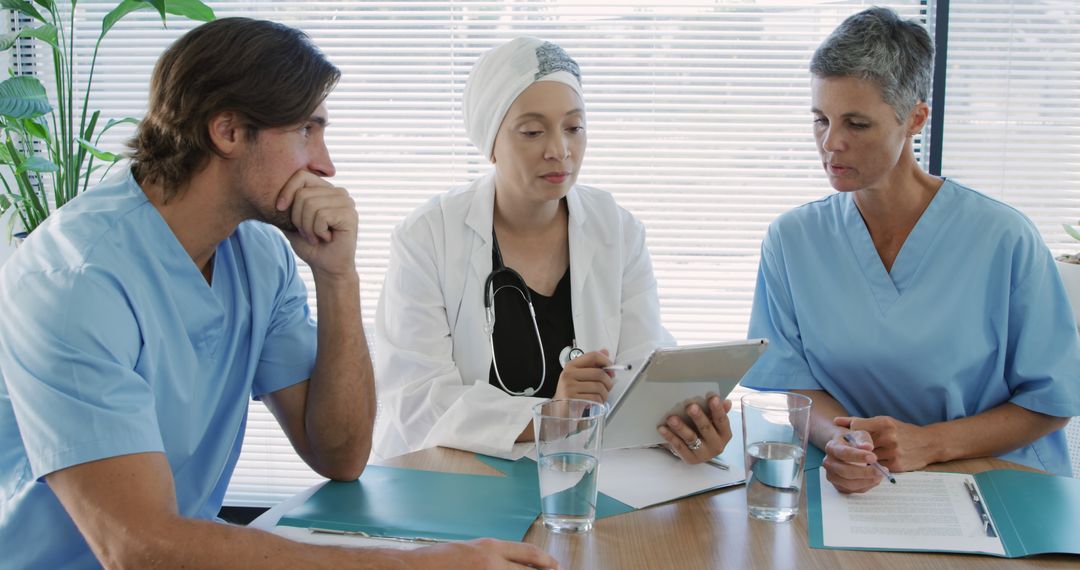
{"x":340,"y":412}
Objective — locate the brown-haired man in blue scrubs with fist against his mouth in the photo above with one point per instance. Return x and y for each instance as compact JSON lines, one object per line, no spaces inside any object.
{"x":142,"y":317}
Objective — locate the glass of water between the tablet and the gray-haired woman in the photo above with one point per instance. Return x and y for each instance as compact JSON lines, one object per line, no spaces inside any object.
{"x":776,"y":426}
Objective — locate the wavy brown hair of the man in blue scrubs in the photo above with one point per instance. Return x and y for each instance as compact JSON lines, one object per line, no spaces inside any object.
{"x":268,"y":74}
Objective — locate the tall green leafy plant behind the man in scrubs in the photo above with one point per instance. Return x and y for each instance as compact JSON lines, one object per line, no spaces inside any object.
{"x":49,"y":153}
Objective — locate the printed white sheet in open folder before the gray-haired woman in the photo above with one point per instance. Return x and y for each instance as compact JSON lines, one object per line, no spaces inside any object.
{"x":923,"y":512}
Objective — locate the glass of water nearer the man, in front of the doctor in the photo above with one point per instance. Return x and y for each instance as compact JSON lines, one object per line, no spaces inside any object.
{"x":569,"y":435}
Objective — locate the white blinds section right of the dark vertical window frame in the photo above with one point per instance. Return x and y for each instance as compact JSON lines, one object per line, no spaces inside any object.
{"x":1012,"y":111}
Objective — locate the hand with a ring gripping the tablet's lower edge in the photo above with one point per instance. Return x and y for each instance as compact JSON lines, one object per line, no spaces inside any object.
{"x":706,"y":437}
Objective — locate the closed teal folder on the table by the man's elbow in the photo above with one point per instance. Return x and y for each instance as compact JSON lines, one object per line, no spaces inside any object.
{"x":425,"y":505}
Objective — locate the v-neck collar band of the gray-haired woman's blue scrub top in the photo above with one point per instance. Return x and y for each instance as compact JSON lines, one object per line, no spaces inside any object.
{"x":889,"y":287}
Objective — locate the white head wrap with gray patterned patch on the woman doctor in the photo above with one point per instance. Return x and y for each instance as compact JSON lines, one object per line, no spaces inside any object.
{"x":502,"y":75}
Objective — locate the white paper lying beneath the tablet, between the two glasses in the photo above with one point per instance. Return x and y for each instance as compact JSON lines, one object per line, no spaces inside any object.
{"x":647,"y":477}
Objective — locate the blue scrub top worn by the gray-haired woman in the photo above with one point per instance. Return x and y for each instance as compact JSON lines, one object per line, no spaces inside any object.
{"x":973,"y":316}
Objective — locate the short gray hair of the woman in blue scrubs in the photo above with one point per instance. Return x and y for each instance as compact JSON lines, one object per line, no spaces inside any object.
{"x":876,"y":45}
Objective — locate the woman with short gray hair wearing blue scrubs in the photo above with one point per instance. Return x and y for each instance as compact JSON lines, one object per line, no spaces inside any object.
{"x":927,"y":321}
